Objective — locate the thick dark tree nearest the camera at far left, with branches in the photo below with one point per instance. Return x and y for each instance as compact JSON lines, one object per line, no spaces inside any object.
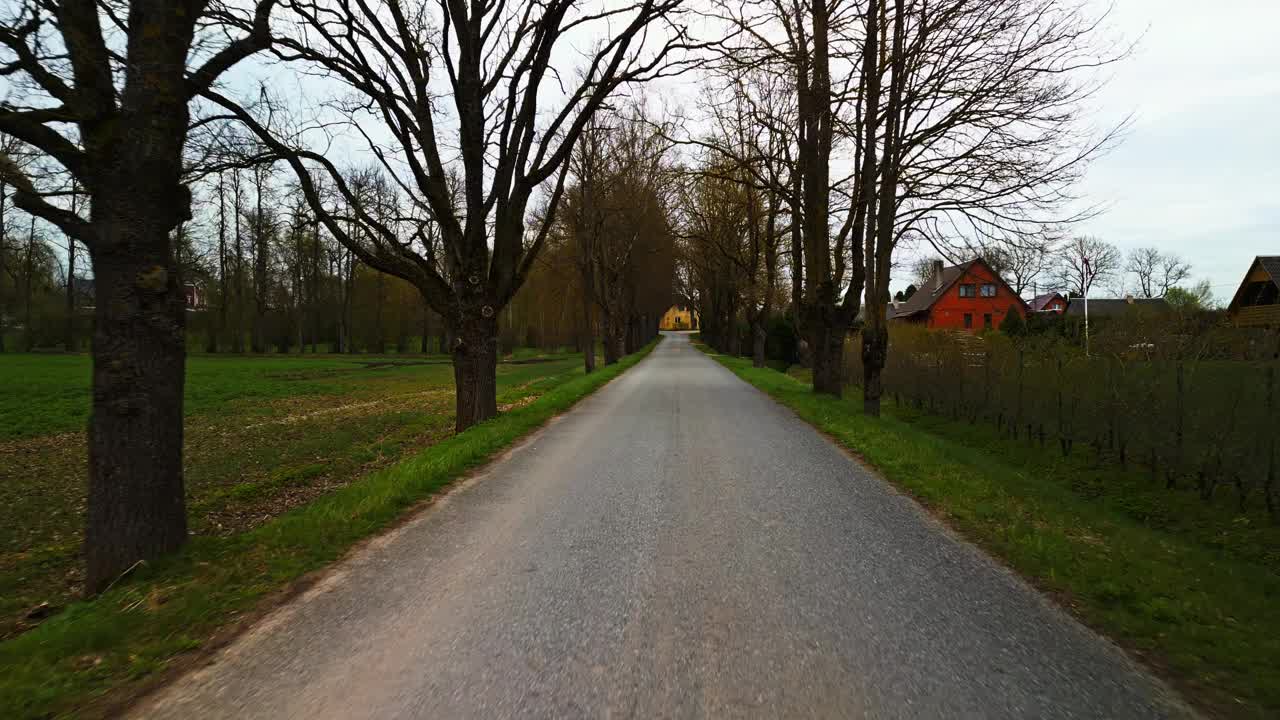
{"x":106,"y":93}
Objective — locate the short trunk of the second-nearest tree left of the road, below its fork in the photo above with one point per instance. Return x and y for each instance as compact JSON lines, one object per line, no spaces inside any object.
{"x":476,"y":371}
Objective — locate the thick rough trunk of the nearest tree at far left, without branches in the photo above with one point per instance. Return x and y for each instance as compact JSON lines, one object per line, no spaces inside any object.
{"x":136,"y":502}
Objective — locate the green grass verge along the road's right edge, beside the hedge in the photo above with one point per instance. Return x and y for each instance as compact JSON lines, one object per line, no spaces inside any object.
{"x":1200,"y":616}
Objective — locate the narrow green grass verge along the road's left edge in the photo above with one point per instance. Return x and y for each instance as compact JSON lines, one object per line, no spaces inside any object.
{"x":88,"y":659}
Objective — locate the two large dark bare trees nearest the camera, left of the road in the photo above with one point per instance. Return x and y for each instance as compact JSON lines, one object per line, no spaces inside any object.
{"x":463,"y":111}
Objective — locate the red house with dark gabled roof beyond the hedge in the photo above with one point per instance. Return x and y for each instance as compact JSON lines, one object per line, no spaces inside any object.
{"x":970,"y":297}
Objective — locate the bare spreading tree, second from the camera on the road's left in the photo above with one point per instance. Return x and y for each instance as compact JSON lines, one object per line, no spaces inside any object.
{"x":470,"y":78}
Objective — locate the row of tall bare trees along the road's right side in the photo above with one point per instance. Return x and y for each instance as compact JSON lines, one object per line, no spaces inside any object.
{"x":876,"y":124}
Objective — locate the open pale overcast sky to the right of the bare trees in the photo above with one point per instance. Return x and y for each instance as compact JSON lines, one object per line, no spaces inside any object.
{"x":1200,"y":171}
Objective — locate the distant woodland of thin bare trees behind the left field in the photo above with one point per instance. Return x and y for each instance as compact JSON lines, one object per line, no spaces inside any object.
{"x":267,"y":279}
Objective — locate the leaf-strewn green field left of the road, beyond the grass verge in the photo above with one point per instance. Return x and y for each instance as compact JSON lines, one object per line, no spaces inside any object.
{"x":264,"y":435}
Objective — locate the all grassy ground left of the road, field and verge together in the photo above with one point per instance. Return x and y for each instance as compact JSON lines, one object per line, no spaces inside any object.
{"x":280,"y":482}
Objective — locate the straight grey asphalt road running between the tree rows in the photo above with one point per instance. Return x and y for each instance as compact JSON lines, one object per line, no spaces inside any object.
{"x":678,"y":546}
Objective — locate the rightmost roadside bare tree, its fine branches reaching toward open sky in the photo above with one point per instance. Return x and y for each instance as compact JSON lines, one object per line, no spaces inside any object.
{"x":980,"y":133}
